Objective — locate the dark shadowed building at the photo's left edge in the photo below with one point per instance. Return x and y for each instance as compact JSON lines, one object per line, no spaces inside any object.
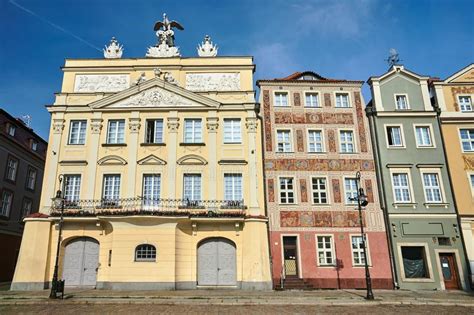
{"x":22,"y":158}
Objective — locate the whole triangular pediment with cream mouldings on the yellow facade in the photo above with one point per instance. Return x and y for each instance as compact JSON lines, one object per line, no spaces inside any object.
{"x":155,"y":93}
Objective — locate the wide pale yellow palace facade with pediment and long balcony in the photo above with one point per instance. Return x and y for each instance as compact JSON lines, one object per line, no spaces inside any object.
{"x":161,"y":174}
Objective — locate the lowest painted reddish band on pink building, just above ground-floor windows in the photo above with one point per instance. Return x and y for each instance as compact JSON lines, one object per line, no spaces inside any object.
{"x":342,"y":219}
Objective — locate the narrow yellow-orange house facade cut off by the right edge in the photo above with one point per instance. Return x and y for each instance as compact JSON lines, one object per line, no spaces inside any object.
{"x":454,"y":97}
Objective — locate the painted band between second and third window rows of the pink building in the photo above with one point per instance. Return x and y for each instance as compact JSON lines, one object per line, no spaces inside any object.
{"x":319,"y":165}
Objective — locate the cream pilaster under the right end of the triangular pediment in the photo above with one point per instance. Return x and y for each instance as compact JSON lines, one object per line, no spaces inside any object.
{"x":212,"y":125}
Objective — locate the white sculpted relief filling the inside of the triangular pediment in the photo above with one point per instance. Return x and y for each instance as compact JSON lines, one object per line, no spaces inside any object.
{"x":153,"y":98}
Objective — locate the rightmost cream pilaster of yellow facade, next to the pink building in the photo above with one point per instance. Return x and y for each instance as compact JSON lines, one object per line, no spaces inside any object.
{"x":251,"y":124}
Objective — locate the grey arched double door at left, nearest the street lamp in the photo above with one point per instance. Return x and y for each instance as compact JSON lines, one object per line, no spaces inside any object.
{"x":81,"y":261}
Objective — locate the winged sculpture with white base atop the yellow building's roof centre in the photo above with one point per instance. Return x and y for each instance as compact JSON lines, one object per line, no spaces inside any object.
{"x":165,"y":47}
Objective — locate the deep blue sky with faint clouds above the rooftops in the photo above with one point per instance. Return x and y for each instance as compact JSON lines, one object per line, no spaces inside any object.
{"x":338,"y":39}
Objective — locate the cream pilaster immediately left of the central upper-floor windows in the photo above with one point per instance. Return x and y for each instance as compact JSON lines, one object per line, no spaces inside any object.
{"x":132,"y":144}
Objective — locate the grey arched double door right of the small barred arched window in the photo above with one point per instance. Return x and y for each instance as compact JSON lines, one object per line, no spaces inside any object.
{"x":217,"y":262}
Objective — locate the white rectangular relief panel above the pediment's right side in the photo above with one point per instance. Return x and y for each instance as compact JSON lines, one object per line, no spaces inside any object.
{"x":213,"y":81}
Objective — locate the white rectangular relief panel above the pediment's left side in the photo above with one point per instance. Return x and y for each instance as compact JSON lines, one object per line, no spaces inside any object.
{"x":91,"y":83}
